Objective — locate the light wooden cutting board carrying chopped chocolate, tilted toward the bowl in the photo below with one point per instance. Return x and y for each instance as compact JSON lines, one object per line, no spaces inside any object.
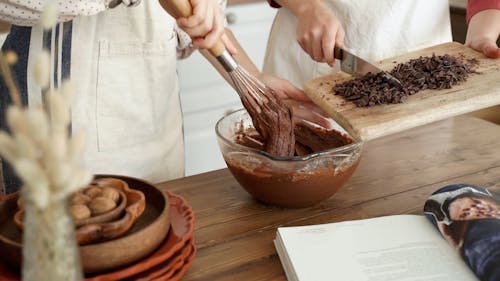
{"x":366,"y":123}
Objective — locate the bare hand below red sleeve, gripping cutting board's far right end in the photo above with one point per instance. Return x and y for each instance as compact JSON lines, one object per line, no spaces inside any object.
{"x":483,"y":32}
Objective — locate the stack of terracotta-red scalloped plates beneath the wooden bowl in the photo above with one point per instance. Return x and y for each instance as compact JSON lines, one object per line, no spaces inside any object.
{"x":168,"y":262}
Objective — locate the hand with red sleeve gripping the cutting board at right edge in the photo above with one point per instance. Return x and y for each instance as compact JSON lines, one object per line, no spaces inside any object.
{"x":484,"y":26}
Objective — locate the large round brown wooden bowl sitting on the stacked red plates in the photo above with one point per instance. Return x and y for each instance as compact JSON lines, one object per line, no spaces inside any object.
{"x":145,"y":235}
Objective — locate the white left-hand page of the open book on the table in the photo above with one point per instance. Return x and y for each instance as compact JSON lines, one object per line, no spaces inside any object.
{"x":403,"y":248}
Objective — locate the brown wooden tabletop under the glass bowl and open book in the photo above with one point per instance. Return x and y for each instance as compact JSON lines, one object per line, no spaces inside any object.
{"x":234,"y":233}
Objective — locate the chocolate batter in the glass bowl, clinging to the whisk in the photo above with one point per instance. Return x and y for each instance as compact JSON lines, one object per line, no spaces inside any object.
{"x":288,"y":184}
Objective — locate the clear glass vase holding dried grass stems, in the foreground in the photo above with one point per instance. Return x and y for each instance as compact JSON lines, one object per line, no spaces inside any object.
{"x":50,"y":250}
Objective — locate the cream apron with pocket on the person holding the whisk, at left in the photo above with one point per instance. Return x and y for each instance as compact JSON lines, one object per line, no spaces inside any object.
{"x":123,"y":66}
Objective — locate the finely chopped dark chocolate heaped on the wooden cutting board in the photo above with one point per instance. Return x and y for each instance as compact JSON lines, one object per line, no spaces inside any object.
{"x":436,"y":72}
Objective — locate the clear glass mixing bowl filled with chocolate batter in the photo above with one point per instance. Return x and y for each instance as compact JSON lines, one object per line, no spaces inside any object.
{"x":299,"y":181}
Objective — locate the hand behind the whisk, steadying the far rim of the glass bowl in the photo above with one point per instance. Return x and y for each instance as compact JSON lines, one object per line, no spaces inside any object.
{"x":303,"y":108}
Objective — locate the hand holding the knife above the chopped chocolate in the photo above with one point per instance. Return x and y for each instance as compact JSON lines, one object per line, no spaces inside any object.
{"x":318,"y":31}
